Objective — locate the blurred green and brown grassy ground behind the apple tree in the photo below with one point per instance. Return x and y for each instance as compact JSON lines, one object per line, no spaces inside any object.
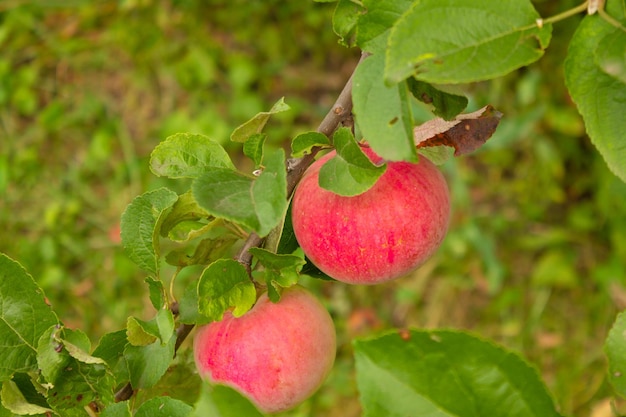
{"x":536,"y":253}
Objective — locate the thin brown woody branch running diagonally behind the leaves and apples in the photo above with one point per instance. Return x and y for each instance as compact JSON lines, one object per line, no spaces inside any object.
{"x":339,"y":114}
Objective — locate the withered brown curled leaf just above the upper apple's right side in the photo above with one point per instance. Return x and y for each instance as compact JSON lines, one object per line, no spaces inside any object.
{"x":466,"y":133}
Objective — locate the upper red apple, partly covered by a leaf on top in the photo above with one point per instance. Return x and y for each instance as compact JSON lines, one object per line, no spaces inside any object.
{"x":382,"y":234}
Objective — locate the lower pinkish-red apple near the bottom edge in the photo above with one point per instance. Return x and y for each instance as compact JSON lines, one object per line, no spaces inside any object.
{"x":277,"y":354}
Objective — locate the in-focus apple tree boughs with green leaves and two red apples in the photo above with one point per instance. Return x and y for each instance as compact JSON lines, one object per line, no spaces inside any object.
{"x":373,"y":207}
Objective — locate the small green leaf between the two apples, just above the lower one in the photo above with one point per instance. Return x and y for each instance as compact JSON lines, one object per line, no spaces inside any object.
{"x":279,"y":271}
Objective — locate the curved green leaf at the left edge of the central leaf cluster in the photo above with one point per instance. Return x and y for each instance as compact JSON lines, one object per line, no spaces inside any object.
{"x":140,"y":227}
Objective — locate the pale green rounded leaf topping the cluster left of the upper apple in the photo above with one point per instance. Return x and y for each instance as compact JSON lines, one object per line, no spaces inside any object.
{"x":187,"y":155}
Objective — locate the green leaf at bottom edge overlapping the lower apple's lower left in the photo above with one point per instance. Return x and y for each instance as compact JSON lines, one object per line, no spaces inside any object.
{"x":222,"y":401}
